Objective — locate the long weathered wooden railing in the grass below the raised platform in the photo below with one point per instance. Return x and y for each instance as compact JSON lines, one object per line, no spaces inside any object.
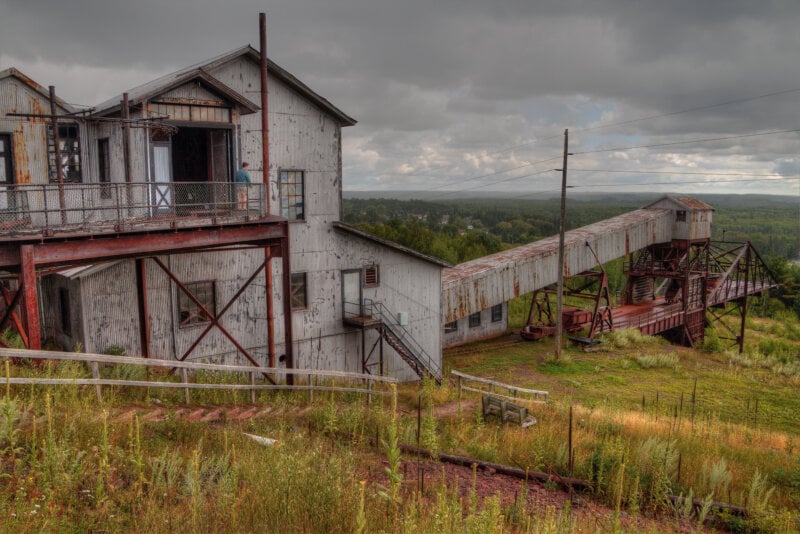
{"x":347,"y":381}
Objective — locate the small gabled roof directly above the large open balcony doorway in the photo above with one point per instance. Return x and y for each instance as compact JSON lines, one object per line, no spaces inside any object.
{"x":167,"y":83}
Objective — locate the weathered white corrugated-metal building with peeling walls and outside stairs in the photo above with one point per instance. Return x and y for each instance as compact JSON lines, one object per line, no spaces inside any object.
{"x":187,"y":133}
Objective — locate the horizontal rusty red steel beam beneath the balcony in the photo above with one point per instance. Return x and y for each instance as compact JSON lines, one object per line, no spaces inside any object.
{"x":114,"y":247}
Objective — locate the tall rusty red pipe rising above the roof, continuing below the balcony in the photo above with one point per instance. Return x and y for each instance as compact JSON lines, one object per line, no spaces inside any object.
{"x":262,"y":26}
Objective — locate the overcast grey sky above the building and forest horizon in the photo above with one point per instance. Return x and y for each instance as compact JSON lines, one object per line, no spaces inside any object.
{"x":475,"y":95}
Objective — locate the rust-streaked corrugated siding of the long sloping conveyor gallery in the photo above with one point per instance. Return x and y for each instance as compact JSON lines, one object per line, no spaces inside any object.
{"x":485,"y":282}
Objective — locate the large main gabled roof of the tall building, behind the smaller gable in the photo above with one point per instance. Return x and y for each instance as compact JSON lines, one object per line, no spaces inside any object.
{"x":164,"y":83}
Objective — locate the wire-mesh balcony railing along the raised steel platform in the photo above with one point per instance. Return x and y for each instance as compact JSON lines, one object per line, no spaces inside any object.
{"x":51,"y":209}
